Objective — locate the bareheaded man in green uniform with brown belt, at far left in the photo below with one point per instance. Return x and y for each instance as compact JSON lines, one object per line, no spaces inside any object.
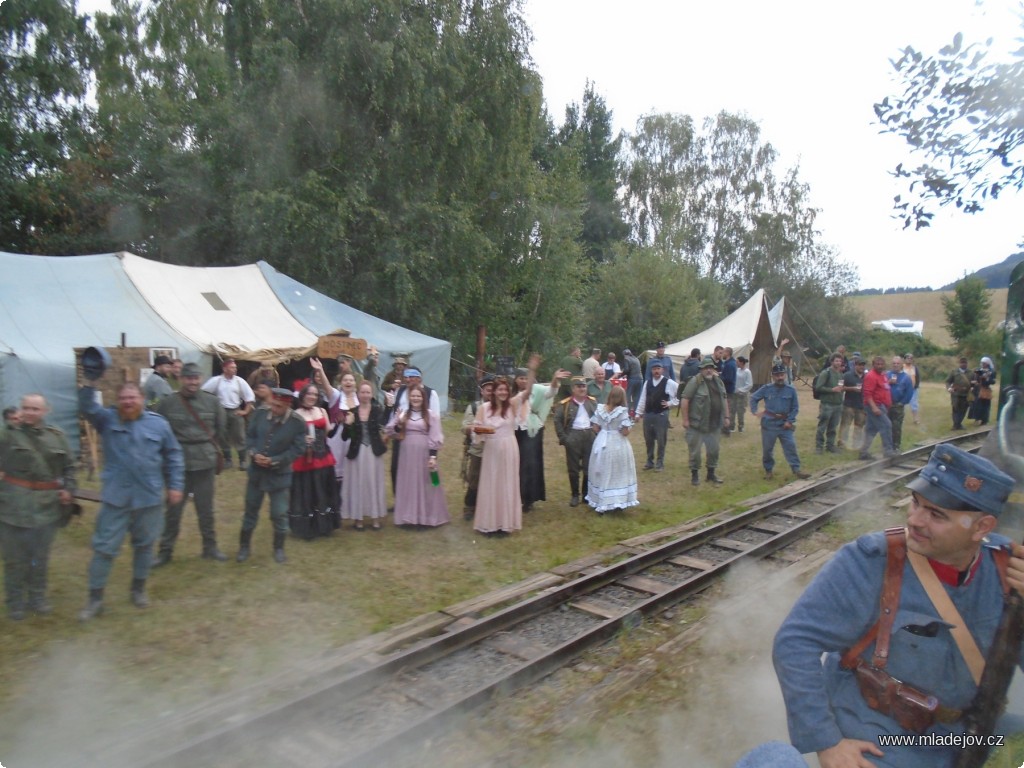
{"x":38,"y":473}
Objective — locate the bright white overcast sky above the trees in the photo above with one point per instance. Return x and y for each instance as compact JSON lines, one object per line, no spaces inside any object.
{"x":809,"y":72}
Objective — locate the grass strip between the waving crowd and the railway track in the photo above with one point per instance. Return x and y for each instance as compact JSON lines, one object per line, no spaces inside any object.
{"x":217,"y":627}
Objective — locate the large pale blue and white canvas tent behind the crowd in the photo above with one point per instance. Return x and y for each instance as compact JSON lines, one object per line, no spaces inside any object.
{"x":51,"y":306}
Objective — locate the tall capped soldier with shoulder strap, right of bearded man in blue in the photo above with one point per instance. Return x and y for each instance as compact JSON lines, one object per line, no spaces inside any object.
{"x":199,"y":421}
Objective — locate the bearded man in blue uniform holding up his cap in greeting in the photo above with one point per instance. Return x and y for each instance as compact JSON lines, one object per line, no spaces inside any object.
{"x":143,"y":463}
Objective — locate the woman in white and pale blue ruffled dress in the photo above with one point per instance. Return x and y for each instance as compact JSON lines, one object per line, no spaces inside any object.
{"x":613,"y":479}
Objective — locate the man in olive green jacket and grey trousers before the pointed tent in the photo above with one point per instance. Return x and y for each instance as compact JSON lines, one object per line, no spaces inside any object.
{"x":706,"y":412}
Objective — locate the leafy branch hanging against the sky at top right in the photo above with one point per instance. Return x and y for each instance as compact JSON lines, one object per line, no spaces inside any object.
{"x":961,"y":112}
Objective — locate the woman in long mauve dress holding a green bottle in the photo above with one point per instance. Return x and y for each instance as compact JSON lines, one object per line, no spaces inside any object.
{"x":417,"y":501}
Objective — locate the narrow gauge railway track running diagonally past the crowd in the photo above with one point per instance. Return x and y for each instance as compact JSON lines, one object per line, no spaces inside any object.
{"x":367,"y":707}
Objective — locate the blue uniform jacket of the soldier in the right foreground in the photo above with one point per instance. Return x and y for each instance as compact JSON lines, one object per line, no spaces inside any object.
{"x":823,"y":702}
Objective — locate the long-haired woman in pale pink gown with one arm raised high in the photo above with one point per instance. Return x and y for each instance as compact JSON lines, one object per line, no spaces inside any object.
{"x":499,"y":503}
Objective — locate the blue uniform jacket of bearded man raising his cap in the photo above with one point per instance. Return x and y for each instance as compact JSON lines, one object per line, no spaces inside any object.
{"x":141,"y":458}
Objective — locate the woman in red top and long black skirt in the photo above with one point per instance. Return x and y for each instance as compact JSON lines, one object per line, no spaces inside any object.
{"x":314,"y":507}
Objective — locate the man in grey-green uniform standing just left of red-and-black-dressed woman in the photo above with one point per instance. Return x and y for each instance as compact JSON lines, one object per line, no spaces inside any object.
{"x":277,"y":438}
